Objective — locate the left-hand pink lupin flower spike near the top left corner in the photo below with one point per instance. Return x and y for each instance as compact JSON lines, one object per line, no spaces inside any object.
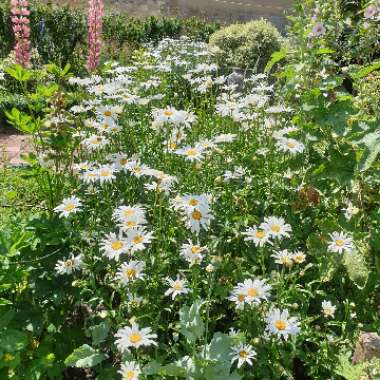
{"x":21,"y":30}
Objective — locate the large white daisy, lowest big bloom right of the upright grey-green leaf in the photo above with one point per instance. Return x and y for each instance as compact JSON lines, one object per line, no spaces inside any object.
{"x":279,"y":323}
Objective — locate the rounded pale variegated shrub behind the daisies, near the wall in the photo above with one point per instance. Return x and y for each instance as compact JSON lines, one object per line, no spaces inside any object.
{"x":245,"y":46}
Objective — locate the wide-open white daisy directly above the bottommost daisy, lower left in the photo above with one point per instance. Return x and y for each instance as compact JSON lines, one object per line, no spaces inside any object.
{"x":134,"y":337}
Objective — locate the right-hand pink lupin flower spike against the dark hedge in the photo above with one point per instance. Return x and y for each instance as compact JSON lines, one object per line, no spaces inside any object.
{"x":94,"y":22}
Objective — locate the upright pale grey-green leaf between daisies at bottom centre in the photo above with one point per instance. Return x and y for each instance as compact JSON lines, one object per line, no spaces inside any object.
{"x":191,"y":324}
